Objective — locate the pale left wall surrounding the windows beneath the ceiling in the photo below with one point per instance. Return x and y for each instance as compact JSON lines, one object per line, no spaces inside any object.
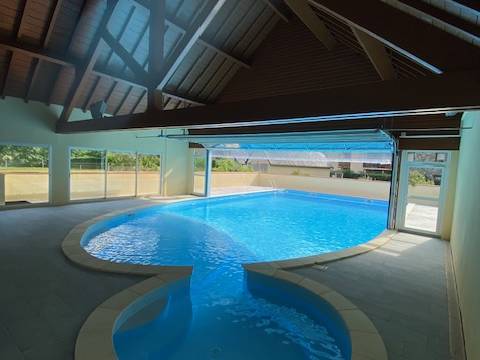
{"x":34,"y":123}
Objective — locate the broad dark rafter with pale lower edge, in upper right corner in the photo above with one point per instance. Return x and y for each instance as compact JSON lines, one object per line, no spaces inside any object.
{"x":417,"y":40}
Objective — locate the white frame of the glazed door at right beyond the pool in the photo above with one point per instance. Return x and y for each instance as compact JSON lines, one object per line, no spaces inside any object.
{"x":403,"y":190}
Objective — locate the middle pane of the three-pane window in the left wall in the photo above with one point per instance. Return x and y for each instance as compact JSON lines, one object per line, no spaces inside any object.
{"x":121,"y":175}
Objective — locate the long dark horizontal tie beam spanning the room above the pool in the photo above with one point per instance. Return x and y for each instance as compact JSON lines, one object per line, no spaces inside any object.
{"x":426,"y":95}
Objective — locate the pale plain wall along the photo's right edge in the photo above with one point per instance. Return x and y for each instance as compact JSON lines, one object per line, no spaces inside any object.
{"x":465,"y":238}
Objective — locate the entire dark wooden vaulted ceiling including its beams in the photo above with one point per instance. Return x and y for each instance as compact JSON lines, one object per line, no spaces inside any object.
{"x":77,"y":52}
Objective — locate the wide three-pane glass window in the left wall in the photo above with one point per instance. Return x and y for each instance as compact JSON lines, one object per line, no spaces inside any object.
{"x":99,"y":174}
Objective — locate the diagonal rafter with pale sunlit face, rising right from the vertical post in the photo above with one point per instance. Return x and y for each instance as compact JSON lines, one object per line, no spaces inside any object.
{"x":208,"y":13}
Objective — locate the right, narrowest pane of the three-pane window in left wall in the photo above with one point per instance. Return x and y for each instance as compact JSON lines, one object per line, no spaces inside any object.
{"x":148,"y":176}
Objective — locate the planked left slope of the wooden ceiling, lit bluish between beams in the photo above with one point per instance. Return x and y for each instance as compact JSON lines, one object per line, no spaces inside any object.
{"x":66,"y":30}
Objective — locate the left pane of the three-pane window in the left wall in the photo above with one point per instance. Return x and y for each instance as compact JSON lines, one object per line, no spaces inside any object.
{"x":87,"y":174}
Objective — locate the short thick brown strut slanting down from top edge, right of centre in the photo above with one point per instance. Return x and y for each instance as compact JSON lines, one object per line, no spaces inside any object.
{"x":306,"y":14}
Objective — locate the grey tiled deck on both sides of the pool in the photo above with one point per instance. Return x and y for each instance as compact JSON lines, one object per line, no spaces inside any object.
{"x":45,"y":299}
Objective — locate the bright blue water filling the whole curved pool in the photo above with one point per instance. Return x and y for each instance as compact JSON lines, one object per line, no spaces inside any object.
{"x":222,"y":318}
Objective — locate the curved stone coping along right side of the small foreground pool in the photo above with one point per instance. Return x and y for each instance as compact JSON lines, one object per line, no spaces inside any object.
{"x":366,"y":342}
